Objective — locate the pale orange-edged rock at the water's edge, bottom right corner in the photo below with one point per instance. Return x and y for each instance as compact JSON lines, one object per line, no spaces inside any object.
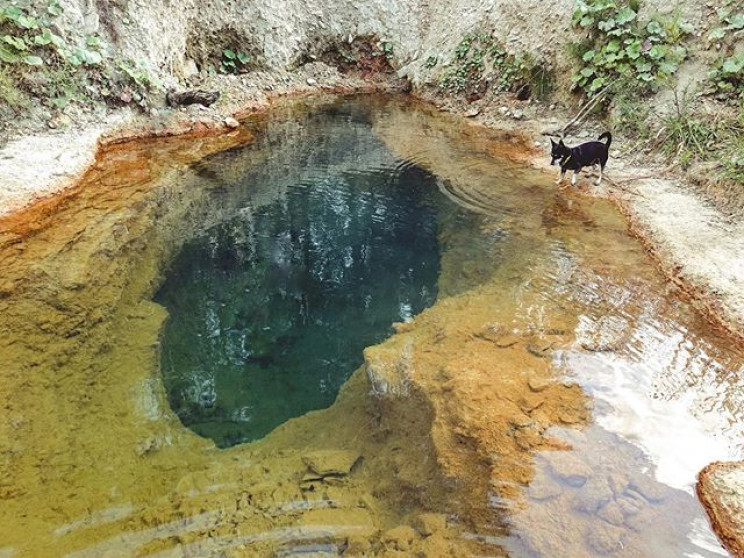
{"x":717,"y":488}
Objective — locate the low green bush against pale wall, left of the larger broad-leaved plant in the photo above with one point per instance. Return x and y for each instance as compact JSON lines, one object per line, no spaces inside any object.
{"x":480,"y":60}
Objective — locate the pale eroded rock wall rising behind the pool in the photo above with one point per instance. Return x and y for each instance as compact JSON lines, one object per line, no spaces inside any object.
{"x":279,"y":34}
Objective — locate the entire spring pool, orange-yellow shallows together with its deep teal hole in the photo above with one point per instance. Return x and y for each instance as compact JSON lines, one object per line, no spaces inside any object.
{"x":353,"y":326}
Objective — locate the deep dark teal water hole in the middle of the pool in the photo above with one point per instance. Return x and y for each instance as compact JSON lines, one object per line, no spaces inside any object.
{"x":271,"y":308}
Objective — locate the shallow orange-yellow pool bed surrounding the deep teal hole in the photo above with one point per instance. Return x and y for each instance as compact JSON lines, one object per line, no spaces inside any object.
{"x":556,"y":401}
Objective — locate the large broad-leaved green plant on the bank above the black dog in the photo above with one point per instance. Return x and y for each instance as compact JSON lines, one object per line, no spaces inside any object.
{"x":621,"y":50}
